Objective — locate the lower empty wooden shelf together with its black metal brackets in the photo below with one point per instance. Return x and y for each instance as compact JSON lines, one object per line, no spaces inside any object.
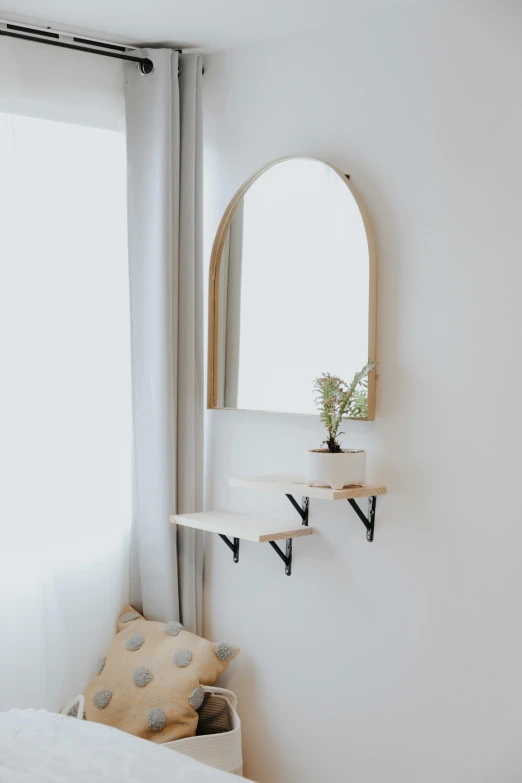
{"x":247,"y":527}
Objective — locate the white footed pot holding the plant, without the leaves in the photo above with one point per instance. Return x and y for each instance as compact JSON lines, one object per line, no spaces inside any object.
{"x":345,"y":469}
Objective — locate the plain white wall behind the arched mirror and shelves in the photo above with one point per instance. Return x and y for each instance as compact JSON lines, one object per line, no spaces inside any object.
{"x":397,"y":661}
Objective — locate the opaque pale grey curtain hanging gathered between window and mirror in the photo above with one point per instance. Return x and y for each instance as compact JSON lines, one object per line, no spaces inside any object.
{"x":164,"y":150}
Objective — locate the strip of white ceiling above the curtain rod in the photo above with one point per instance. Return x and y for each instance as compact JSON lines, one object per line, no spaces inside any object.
{"x":202,"y":24}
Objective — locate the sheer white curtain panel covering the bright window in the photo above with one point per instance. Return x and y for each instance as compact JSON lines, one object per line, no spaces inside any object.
{"x":65,"y":417}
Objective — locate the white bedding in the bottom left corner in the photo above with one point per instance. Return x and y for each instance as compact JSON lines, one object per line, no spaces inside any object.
{"x":42,"y":746}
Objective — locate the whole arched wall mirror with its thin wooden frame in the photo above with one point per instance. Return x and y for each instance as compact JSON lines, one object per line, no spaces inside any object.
{"x":292,"y":290}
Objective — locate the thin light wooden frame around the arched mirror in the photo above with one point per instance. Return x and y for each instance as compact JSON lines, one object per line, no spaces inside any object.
{"x":213,"y":289}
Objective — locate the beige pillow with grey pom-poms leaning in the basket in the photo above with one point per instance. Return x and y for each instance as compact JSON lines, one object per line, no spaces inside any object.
{"x":150,"y":682}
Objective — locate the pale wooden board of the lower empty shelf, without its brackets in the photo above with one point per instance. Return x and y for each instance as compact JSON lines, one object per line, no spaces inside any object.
{"x":245,"y":526}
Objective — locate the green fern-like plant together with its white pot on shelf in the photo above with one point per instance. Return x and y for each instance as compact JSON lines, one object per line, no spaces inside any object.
{"x":335,"y":466}
